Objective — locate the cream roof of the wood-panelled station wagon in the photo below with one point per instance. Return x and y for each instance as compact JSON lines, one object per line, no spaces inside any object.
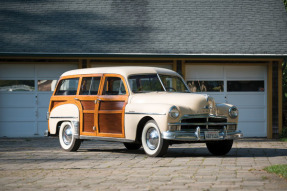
{"x":122,"y":70}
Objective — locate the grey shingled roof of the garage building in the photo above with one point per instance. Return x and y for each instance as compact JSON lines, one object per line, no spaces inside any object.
{"x":144,"y":27}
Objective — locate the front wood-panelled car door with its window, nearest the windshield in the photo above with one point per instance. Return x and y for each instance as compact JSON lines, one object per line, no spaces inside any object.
{"x":110,"y":106}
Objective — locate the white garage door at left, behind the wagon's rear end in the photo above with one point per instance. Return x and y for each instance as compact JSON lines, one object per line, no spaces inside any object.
{"x":25,"y":91}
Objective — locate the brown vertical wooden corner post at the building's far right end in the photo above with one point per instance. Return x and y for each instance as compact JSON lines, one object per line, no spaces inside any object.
{"x":280,"y":97}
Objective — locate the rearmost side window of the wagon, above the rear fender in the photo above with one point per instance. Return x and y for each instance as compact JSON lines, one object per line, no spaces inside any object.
{"x":68,"y":87}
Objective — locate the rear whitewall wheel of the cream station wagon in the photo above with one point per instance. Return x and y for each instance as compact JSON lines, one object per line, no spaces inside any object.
{"x":66,"y":137}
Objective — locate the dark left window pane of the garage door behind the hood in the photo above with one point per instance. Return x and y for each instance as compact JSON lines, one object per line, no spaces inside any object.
{"x":205,"y":86}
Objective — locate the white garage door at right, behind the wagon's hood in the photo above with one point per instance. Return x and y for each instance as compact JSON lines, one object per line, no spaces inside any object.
{"x":243,"y":86}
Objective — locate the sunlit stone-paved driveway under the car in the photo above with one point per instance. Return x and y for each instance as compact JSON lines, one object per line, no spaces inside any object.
{"x":40,"y":164}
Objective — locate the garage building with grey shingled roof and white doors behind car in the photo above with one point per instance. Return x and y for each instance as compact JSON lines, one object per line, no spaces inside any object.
{"x":232,"y":50}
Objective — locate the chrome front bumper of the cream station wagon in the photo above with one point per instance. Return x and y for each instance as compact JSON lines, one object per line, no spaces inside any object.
{"x":199,"y":135}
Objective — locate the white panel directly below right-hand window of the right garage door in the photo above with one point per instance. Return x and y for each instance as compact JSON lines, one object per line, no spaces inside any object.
{"x":246,"y":100}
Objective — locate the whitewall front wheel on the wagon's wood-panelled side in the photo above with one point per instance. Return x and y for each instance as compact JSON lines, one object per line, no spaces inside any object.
{"x":153,"y":143}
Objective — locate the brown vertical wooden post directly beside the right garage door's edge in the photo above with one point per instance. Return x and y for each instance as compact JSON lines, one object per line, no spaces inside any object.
{"x":269,"y":101}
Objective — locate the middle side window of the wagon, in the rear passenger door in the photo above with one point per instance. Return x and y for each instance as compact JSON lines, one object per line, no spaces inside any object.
{"x":90,"y":86}
